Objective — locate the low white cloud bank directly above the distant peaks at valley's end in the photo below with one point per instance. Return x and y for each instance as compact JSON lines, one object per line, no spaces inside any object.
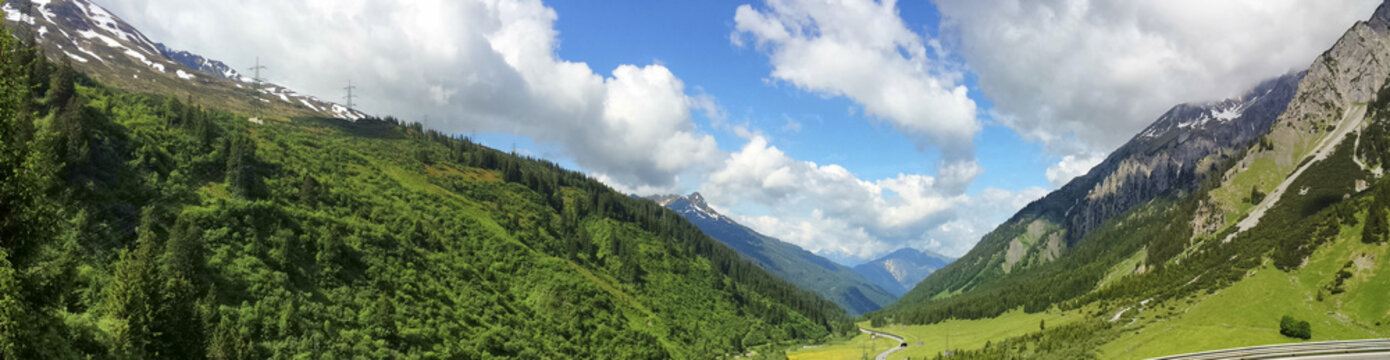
{"x":829,"y":211}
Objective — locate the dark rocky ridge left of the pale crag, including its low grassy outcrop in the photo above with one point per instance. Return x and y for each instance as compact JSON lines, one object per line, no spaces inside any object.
{"x":1170,"y":158}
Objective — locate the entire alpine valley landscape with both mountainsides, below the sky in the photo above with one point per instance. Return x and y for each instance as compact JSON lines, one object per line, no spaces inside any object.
{"x":156,"y":204}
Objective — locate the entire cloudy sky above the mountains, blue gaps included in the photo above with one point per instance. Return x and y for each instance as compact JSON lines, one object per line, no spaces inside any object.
{"x":851,"y":129}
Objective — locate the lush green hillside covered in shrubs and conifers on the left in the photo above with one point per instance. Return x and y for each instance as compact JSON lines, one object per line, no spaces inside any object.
{"x":136,"y":226}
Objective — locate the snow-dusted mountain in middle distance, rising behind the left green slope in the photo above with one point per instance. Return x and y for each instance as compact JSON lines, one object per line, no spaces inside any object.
{"x":789,"y":262}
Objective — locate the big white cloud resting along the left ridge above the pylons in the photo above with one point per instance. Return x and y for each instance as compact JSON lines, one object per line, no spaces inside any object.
{"x":477,"y":66}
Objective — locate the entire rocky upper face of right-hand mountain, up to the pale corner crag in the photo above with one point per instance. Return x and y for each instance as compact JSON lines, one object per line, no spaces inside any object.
{"x":1286,"y":120}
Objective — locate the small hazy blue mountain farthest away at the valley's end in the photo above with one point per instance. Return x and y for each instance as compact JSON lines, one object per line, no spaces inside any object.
{"x":901,"y":270}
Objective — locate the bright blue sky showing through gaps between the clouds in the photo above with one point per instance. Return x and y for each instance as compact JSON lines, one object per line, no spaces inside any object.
{"x":693,"y":40}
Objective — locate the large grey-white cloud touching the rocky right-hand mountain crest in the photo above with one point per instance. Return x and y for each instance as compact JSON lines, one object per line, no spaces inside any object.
{"x":1084,"y":76}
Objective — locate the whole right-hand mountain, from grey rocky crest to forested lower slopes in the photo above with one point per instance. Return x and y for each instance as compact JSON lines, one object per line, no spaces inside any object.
{"x":1207,"y":197}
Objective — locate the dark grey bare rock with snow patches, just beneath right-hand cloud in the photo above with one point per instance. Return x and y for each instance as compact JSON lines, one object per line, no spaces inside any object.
{"x":1168,"y":156}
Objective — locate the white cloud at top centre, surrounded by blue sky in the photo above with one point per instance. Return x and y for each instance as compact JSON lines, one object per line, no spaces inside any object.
{"x":862,"y":51}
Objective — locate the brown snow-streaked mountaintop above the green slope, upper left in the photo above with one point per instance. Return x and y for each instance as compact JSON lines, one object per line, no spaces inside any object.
{"x":99,"y":44}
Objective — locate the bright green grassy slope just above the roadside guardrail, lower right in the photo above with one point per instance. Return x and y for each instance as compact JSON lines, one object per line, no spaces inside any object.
{"x":1248,"y":313}
